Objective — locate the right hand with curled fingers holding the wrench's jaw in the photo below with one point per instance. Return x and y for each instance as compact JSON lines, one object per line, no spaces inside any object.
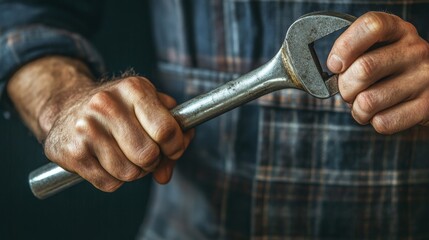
{"x":383,"y":67}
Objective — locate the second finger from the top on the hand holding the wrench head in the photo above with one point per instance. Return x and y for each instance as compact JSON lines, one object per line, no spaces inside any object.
{"x":371,"y":67}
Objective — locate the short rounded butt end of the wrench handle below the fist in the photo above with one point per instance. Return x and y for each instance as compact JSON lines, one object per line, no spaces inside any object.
{"x":49,"y":179}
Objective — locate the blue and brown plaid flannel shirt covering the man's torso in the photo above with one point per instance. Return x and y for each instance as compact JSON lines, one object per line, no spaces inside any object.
{"x":285,"y":166}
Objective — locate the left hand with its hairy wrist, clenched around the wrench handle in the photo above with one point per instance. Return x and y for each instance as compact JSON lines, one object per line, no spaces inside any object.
{"x":108,"y":133}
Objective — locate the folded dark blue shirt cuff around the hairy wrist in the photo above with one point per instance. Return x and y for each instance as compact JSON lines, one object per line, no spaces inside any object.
{"x":22,"y":45}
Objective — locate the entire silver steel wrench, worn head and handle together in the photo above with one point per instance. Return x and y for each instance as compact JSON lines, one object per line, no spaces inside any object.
{"x":294,"y":66}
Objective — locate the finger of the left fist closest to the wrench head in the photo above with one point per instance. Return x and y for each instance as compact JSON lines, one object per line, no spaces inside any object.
{"x":156,"y":119}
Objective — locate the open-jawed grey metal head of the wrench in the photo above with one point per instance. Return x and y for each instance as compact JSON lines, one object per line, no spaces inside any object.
{"x":300,"y":56}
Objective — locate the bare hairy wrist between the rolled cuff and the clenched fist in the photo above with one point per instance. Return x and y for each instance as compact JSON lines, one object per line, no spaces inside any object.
{"x":35,"y":90}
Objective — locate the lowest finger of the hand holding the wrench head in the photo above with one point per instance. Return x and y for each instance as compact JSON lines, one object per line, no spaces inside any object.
{"x":401,"y":116}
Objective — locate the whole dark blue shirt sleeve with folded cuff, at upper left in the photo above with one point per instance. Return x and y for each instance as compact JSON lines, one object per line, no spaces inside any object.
{"x":30,"y":30}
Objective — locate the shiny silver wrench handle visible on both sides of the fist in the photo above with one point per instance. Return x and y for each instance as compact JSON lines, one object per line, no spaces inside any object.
{"x":51,"y":178}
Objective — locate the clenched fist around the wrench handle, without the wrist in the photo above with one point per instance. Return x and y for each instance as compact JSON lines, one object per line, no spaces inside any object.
{"x":117,"y":132}
